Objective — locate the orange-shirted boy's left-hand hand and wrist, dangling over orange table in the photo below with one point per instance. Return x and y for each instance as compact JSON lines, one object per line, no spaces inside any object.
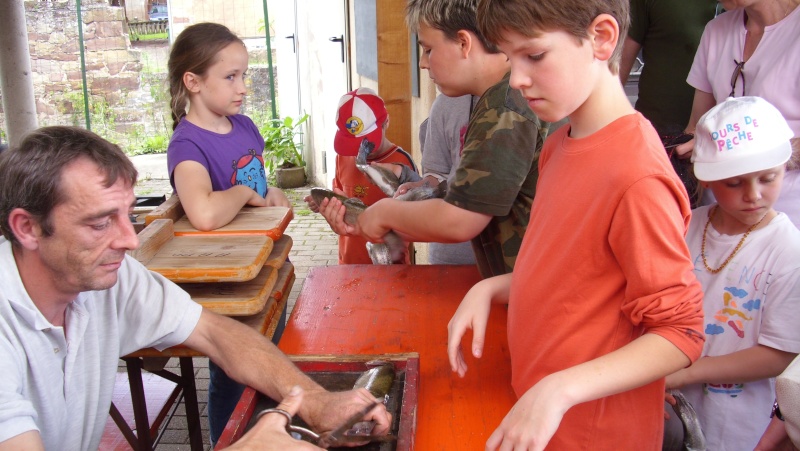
{"x":473,"y":313}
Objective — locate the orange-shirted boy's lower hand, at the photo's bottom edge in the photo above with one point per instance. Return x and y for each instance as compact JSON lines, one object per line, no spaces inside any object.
{"x":533,"y":420}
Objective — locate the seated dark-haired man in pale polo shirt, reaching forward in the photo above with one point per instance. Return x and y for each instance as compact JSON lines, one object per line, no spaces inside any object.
{"x":72,"y":302}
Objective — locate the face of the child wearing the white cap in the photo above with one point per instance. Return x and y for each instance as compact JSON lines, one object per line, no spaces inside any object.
{"x":745,"y":199}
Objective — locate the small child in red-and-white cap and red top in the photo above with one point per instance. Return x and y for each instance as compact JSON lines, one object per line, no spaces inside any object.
{"x":362,"y":115}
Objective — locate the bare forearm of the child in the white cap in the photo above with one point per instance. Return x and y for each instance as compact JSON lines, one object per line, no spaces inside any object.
{"x":750,"y":364}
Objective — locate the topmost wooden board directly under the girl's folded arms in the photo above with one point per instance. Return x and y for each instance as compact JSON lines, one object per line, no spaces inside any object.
{"x":269,"y":221}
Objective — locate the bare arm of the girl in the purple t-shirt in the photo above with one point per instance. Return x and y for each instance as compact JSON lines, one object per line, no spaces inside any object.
{"x":208,"y":209}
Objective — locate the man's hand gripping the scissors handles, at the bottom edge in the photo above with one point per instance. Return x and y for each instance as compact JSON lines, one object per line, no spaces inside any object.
{"x":269,"y":433}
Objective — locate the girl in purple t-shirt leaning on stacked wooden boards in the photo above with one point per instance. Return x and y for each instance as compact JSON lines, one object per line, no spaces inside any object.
{"x":215,"y":154}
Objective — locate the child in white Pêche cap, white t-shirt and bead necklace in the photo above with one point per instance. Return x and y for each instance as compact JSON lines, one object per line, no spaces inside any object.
{"x":747,"y":258}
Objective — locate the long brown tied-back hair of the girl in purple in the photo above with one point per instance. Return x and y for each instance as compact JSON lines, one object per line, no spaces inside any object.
{"x":194,"y":50}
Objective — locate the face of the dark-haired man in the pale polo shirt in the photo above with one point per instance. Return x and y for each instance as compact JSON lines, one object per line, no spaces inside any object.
{"x":91,"y":231}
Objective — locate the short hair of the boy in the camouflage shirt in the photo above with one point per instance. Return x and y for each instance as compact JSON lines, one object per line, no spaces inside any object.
{"x":448,"y":16}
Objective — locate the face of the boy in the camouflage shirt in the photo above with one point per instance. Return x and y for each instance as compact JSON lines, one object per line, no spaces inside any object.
{"x":443,"y":59}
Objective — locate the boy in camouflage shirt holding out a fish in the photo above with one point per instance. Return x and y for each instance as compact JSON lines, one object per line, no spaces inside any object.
{"x":490,"y":198}
